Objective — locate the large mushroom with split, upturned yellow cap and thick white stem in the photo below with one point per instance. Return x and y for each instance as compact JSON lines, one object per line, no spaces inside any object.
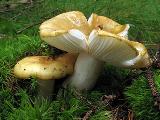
{"x":97,"y":40}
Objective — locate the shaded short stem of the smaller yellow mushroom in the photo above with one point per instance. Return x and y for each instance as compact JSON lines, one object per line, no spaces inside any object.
{"x":46,"y":88}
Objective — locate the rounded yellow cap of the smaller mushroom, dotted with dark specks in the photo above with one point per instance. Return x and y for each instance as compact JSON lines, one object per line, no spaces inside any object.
{"x":44,"y":67}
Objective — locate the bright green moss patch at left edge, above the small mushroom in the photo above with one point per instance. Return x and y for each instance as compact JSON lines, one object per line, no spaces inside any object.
{"x":13,"y":49}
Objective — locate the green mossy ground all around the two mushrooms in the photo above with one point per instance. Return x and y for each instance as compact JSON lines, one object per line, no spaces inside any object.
{"x":19,"y":37}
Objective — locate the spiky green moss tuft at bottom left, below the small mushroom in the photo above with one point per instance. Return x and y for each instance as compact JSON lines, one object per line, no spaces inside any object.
{"x":40,"y":109}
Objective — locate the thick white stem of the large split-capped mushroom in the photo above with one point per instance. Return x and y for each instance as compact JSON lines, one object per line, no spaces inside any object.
{"x":86,"y":72}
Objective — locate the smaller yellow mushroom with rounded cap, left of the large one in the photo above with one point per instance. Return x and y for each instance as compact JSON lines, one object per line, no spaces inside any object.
{"x":46,"y":70}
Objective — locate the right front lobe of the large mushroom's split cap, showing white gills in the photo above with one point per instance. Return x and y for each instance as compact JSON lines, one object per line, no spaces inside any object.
{"x":118,"y":51}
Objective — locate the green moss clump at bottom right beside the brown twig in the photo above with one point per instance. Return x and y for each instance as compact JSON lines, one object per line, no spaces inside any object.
{"x":141,"y":99}
